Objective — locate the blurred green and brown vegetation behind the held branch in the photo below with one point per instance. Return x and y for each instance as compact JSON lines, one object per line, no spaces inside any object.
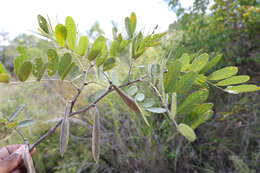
{"x":229,"y":142}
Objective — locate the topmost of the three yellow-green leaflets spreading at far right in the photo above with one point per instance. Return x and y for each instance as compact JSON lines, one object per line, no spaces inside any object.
{"x":223,"y":73}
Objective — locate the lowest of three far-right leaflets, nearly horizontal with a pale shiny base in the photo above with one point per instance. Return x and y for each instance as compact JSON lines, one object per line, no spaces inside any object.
{"x":242,"y":88}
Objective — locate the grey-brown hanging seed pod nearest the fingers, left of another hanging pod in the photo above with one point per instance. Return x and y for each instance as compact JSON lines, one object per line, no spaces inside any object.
{"x":64,"y":133}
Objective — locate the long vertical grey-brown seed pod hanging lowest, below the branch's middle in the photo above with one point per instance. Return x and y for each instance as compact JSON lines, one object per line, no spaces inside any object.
{"x":96,"y":136}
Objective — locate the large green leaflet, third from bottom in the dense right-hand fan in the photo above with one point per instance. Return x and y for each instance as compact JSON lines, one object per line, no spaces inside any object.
{"x":192,"y":100}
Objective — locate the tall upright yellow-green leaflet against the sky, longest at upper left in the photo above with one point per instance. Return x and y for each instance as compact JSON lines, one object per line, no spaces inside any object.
{"x":71,"y":32}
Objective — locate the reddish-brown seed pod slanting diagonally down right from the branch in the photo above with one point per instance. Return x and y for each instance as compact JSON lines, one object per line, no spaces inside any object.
{"x":128,"y":100}
